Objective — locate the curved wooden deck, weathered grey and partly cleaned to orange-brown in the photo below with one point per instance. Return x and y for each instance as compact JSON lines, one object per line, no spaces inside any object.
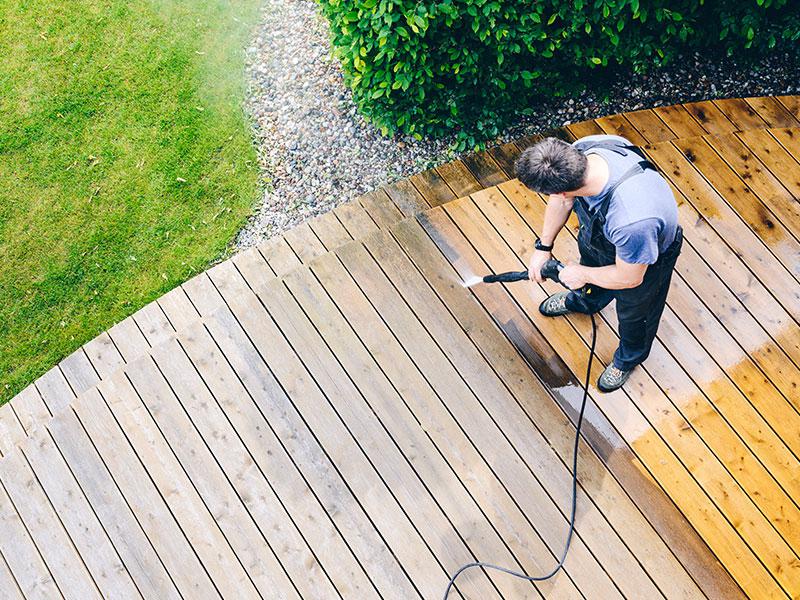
{"x":332,"y":415}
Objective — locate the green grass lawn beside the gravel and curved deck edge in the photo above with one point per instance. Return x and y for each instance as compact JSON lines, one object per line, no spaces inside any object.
{"x":126,"y":163}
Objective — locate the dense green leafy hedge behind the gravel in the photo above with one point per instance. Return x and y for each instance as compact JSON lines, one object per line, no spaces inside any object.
{"x":431,"y":67}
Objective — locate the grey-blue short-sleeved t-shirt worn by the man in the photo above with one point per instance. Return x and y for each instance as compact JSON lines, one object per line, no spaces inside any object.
{"x":642,"y":216}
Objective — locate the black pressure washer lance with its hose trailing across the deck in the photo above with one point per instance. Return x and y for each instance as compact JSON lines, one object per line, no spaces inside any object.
{"x":550,"y":270}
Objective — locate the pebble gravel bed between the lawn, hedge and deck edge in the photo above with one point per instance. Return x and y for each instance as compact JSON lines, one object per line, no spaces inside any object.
{"x":315,"y":151}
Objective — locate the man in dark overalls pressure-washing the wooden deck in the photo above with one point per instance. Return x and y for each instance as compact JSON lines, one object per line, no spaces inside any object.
{"x":629,"y":237}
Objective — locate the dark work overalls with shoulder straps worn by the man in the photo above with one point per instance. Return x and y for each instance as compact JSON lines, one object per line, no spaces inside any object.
{"x":639,"y":309}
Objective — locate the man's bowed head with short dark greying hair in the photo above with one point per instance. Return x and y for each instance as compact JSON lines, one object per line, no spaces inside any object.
{"x":552,"y":166}
